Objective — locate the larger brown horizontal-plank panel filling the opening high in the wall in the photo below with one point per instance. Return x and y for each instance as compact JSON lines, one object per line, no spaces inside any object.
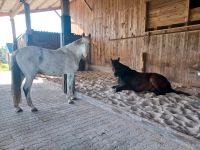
{"x":164,"y":13}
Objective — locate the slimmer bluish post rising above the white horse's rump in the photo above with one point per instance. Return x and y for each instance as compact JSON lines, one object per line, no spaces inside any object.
{"x":28,"y":23}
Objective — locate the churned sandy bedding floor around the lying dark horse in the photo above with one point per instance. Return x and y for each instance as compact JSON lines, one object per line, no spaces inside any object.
{"x":179,"y":112}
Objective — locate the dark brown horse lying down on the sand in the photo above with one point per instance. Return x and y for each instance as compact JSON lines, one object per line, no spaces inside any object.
{"x":132,"y":80}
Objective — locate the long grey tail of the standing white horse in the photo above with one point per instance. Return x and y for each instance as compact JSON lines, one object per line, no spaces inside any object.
{"x":17,"y":78}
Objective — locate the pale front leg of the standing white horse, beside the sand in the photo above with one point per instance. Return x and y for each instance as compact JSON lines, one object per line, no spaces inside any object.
{"x":70,"y":87}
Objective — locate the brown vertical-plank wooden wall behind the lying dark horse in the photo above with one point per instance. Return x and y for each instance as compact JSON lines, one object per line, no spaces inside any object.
{"x":118,"y":30}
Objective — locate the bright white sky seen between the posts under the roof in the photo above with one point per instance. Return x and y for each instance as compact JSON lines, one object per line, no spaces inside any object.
{"x":43,"y":21}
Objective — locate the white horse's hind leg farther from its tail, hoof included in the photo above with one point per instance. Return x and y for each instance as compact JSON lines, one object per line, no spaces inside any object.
{"x":27,"y":90}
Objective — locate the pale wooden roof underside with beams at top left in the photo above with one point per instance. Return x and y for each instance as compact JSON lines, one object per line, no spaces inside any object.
{"x":14,"y":7}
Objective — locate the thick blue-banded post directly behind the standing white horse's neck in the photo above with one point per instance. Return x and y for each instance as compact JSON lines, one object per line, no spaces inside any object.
{"x":65,"y":31}
